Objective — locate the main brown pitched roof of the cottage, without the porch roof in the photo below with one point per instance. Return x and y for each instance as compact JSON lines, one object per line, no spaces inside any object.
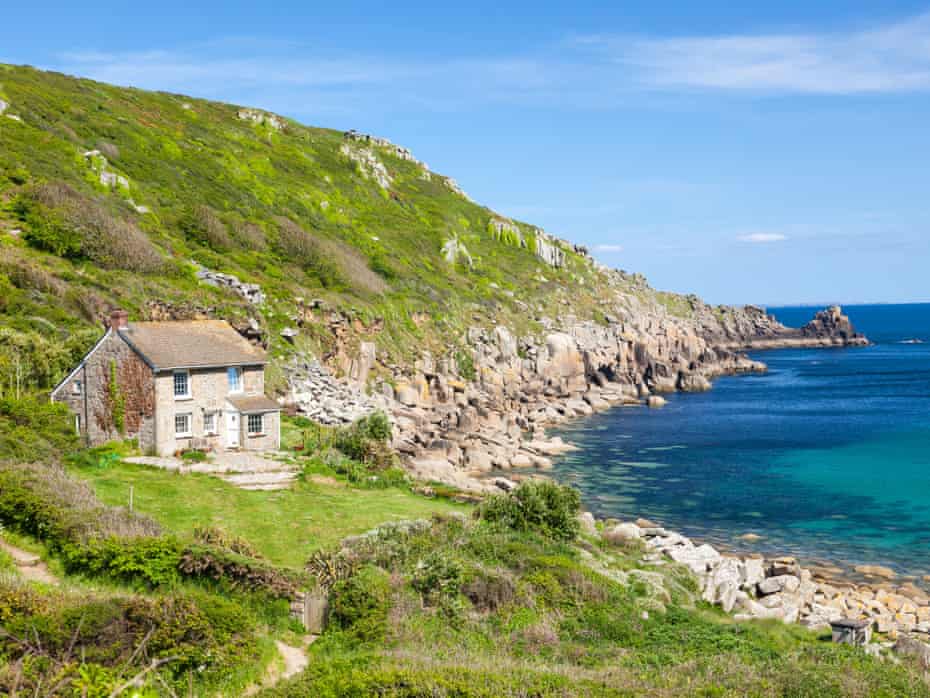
{"x":191,"y":344}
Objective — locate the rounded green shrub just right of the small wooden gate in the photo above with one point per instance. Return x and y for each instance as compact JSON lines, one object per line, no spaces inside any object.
{"x":360,"y":604}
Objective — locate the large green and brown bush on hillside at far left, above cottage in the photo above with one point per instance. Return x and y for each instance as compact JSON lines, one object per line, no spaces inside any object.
{"x":67,"y":223}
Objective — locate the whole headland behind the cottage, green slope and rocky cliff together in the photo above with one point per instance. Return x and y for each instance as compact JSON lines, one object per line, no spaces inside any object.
{"x":343,"y":254}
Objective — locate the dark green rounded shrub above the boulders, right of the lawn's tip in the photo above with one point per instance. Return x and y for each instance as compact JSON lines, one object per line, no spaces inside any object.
{"x":541,"y":506}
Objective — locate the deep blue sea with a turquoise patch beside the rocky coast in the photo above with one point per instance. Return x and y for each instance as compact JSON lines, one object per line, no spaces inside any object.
{"x":826,"y":456}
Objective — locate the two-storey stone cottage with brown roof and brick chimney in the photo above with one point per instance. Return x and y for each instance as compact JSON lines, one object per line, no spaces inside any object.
{"x":173,"y":386}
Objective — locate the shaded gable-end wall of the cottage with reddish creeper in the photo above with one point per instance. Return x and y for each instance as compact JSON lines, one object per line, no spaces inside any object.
{"x":88,"y":394}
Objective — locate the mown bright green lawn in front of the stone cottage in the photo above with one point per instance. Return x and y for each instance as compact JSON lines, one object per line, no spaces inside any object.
{"x":285,"y":525}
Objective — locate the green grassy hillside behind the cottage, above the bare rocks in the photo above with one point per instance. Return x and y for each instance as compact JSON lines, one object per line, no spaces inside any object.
{"x":109,"y":196}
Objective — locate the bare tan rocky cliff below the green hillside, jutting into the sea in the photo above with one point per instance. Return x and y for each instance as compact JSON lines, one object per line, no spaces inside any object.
{"x":459,"y":419}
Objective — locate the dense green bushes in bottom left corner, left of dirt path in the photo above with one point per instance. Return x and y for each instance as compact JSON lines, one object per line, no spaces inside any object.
{"x":89,"y":645}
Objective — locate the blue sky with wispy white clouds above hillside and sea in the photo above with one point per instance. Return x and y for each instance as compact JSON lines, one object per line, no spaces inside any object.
{"x":771,"y":154}
